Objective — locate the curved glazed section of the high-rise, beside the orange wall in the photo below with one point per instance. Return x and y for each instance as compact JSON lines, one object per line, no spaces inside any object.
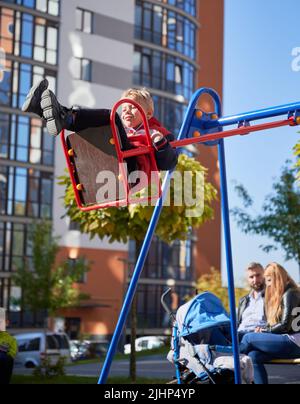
{"x":165,"y":60}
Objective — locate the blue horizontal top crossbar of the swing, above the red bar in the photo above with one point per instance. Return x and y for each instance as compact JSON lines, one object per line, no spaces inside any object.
{"x":253,"y":115}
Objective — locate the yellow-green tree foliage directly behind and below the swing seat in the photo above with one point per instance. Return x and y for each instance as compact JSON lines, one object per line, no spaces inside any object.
{"x":122,"y":224}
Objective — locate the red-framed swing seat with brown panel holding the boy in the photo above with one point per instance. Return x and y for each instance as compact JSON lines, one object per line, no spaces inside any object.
{"x":100,"y":168}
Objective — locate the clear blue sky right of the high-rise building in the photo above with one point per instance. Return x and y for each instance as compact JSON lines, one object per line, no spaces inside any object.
{"x":261,"y":70}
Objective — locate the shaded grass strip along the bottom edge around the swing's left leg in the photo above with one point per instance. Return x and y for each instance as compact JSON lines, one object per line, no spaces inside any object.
{"x":17,"y":379}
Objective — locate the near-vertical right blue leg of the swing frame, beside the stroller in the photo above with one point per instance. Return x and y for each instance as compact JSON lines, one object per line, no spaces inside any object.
{"x":230,"y":275}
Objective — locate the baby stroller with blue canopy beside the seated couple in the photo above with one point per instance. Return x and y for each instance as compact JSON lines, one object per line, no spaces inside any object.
{"x":201,"y":343}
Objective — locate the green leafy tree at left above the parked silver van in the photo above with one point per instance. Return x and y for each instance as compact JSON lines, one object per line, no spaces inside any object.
{"x":46,"y":286}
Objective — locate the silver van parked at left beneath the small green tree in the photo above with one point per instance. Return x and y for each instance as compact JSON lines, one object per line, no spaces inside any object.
{"x":33,"y":347}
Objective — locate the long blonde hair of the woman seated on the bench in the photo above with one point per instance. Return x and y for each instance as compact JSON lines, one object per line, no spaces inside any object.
{"x":281,"y":281}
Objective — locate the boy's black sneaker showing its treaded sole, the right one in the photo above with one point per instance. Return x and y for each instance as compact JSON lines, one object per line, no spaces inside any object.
{"x":57,"y":116}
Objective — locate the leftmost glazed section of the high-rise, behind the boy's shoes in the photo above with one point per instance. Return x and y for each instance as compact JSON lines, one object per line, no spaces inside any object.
{"x":29,"y":51}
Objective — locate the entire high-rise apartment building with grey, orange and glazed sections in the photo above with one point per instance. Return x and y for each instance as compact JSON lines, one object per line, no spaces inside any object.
{"x":90,"y":52}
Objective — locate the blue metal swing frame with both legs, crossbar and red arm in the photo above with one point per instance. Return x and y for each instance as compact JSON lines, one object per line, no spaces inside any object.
{"x":243,"y":120}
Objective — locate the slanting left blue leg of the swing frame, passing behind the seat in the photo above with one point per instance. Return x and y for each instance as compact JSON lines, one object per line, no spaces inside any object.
{"x":144,"y":252}
